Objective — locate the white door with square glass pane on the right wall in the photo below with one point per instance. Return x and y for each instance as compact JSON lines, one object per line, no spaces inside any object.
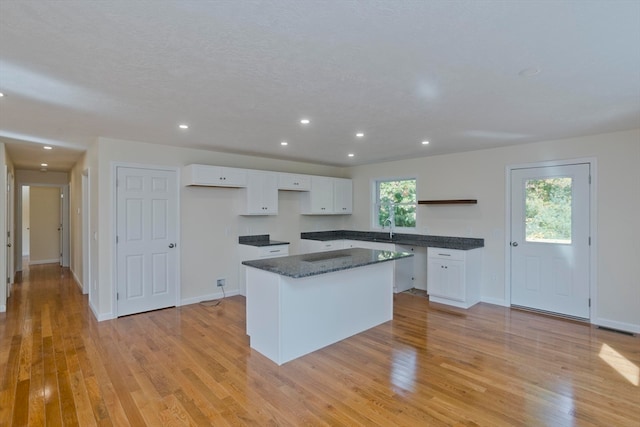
{"x":550,"y":239}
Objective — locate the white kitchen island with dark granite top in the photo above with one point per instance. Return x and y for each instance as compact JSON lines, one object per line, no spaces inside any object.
{"x":299,"y":304}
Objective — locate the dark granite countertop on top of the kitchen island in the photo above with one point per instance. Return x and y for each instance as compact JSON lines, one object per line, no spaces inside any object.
{"x":298,"y":266}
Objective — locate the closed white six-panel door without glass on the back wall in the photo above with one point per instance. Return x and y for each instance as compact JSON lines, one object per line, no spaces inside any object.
{"x":147,"y":215}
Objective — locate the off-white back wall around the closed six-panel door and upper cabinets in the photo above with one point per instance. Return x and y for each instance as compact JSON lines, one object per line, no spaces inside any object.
{"x":210,"y":225}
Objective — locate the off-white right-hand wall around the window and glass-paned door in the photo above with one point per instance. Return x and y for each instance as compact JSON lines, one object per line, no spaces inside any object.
{"x":481,"y":175}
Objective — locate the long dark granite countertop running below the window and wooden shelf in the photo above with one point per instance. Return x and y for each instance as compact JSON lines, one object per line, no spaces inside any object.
{"x":445,"y":242}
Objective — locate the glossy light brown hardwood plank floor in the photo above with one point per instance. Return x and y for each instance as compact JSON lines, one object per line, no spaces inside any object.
{"x":431,"y":365}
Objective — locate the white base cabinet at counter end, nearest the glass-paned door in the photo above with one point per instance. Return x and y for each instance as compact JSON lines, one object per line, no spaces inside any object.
{"x":453,"y":276}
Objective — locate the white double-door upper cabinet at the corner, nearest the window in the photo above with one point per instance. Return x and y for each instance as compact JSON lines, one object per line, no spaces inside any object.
{"x":328,"y":196}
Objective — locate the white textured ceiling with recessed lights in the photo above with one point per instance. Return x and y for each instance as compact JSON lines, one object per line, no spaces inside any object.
{"x":243,"y":73}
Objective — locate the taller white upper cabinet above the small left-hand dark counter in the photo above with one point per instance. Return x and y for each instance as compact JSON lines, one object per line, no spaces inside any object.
{"x":261,"y":194}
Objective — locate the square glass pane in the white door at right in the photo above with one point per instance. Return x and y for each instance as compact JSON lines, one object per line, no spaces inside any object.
{"x":548,"y":210}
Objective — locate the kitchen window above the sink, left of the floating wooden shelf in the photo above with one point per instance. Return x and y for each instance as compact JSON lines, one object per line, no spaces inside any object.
{"x":395,"y":203}
